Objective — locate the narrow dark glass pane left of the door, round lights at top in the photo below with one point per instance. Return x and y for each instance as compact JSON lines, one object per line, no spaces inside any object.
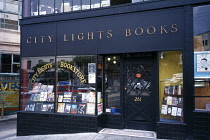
{"x":112,"y":82}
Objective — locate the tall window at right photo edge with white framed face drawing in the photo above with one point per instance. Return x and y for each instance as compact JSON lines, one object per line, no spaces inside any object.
{"x":201,"y":58}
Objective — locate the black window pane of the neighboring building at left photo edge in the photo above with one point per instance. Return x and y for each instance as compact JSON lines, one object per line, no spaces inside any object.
{"x":6,"y":62}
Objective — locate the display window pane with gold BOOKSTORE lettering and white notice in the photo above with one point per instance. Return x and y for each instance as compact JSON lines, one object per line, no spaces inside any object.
{"x":76,"y":85}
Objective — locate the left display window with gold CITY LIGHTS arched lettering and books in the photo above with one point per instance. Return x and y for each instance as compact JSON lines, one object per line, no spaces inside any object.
{"x":37,"y":85}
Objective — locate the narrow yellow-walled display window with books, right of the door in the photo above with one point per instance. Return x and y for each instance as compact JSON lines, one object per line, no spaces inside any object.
{"x":171,"y":86}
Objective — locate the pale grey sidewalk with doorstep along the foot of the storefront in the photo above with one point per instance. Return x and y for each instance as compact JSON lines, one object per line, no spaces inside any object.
{"x":105,"y":134}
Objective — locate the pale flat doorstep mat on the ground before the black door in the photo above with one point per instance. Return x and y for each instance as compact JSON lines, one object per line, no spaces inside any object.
{"x":129,"y":132}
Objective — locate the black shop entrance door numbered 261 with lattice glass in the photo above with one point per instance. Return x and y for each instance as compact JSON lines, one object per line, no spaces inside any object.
{"x":140,"y":107}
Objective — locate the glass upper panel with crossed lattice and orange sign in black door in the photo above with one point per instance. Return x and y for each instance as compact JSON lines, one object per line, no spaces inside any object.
{"x":138,"y":79}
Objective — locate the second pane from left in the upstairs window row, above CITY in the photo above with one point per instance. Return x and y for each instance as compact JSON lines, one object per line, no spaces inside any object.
{"x":46,"y":7}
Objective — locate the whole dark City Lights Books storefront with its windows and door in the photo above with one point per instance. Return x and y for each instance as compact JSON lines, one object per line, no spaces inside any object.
{"x":124,"y":67}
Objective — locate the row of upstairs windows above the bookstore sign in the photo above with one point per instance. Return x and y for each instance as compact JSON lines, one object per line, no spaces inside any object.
{"x":44,"y":7}
